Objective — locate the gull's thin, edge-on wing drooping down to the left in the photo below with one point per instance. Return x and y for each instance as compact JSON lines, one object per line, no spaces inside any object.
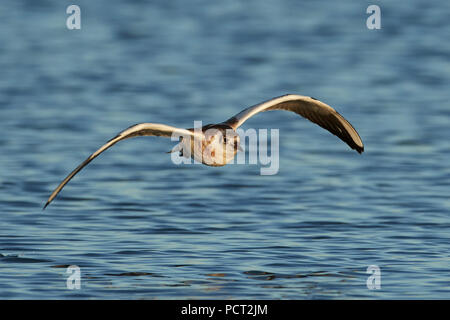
{"x":142,"y":129}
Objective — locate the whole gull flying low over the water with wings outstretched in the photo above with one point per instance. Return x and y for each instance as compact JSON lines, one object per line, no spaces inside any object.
{"x":217,"y":144}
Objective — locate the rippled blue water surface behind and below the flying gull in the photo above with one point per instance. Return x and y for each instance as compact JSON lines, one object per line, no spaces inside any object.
{"x":141,"y":227}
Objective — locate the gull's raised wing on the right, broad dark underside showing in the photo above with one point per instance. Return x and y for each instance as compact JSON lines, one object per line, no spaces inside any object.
{"x":309,"y":108}
